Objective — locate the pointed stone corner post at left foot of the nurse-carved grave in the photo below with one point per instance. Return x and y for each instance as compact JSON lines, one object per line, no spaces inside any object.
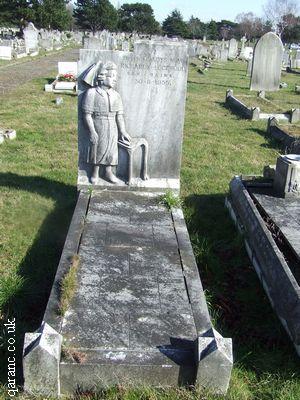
{"x":41,"y":361}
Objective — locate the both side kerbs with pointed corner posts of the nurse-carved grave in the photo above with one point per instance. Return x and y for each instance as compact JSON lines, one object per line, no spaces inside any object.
{"x":42,"y":349}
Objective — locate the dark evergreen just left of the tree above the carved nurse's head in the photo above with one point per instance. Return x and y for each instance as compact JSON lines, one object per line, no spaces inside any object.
{"x":53,"y":14}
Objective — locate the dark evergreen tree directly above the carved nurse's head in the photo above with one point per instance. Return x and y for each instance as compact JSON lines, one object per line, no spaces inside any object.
{"x":96,"y":15}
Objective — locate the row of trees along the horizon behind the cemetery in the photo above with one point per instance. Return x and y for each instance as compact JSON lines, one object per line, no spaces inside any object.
{"x":95,"y":15}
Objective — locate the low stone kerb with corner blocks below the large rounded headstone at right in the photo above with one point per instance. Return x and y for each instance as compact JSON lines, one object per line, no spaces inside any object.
{"x":255,"y":114}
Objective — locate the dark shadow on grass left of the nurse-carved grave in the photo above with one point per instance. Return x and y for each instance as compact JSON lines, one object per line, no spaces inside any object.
{"x":39,"y":265}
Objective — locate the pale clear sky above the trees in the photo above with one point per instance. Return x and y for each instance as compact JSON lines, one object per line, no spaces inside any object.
{"x":205,"y":10}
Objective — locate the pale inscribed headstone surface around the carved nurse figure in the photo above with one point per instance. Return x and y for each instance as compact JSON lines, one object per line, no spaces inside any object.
{"x":150,"y":78}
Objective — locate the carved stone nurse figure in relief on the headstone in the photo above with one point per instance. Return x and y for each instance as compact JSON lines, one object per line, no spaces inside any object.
{"x":103,"y":114}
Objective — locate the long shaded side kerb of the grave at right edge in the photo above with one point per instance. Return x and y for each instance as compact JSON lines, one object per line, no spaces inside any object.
{"x":277,"y":279}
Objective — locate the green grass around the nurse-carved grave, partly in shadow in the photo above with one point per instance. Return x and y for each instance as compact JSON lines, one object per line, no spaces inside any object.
{"x":38,"y":195}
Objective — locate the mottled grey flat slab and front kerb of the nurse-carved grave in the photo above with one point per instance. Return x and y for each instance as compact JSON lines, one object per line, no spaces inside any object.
{"x":139,"y":307}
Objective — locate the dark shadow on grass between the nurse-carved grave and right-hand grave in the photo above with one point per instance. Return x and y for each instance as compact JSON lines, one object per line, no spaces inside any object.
{"x":238,"y":304}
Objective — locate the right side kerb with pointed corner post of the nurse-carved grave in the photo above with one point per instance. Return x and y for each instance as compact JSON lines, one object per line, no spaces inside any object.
{"x":214,"y":358}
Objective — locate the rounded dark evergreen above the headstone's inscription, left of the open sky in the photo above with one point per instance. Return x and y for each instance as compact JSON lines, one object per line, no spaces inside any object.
{"x":138,"y":17}
